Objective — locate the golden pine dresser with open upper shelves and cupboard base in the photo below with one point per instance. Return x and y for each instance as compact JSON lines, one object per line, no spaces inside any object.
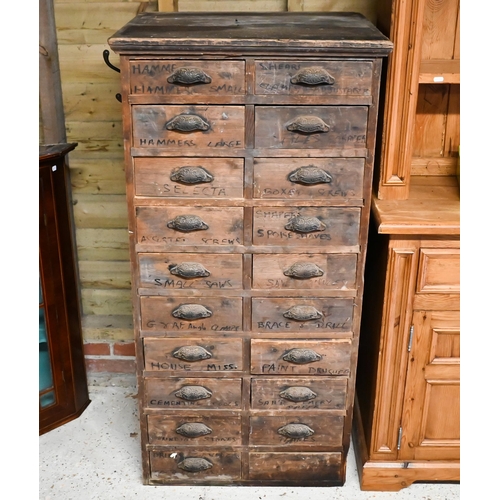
{"x":407,"y":409}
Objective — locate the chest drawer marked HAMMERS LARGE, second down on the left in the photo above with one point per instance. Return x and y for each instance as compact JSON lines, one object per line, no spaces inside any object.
{"x":188,"y":127}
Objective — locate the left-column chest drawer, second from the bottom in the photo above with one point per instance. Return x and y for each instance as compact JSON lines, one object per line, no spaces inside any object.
{"x":194,"y":430}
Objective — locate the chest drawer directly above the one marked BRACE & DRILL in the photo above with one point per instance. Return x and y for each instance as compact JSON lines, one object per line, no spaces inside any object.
{"x":305,"y":271}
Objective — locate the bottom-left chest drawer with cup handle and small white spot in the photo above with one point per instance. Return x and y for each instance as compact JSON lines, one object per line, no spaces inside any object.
{"x":177,"y":465}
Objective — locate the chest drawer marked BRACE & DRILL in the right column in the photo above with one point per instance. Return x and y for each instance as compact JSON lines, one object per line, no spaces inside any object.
{"x":298,"y":315}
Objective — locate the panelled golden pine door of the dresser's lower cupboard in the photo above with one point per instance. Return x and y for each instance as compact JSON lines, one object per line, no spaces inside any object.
{"x":431,"y":413}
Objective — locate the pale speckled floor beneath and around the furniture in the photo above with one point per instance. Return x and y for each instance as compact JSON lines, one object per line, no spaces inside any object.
{"x":97,"y":457}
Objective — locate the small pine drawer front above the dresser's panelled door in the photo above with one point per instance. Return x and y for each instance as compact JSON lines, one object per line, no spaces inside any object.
{"x":439,"y":271}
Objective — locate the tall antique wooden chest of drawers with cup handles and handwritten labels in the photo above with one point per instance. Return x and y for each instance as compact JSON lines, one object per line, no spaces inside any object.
{"x":249,"y":144}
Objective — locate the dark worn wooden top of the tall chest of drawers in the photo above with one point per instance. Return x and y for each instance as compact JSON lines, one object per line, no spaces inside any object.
{"x":333,"y":31}
